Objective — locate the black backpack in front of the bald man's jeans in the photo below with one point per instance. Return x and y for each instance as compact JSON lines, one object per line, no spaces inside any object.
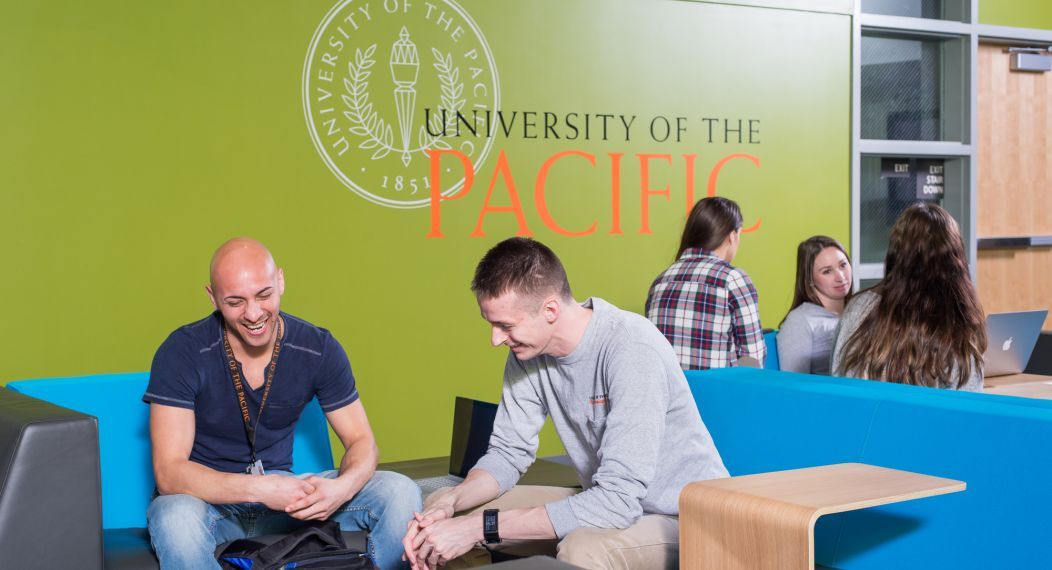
{"x":315,"y":545}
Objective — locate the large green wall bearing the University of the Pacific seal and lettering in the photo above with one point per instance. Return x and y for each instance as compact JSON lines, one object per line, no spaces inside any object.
{"x":138,"y":137}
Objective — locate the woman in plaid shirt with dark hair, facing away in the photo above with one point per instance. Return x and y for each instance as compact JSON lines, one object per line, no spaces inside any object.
{"x":705,"y":307}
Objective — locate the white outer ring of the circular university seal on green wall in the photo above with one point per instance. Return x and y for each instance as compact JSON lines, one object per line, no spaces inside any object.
{"x":319,"y":146}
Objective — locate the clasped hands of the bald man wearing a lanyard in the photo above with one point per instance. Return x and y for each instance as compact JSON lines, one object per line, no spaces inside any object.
{"x":311,"y":499}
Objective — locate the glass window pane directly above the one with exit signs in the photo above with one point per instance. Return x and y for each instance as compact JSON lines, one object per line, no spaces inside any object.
{"x":914,"y":88}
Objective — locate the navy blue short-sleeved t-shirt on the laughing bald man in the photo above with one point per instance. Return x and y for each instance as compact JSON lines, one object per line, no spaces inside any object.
{"x":190,"y":372}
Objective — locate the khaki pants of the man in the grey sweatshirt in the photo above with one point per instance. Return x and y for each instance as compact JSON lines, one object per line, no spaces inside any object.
{"x":652,"y":544}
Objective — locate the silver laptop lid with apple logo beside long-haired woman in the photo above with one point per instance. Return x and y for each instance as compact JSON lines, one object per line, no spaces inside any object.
{"x":1011,"y":338}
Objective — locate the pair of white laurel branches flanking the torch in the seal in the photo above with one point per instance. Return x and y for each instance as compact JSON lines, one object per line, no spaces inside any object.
{"x":366,"y":120}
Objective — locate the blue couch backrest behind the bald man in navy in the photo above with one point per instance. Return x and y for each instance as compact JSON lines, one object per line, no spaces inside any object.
{"x":125,"y":452}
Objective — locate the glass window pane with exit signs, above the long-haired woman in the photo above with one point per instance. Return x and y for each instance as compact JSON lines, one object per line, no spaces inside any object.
{"x":885,"y":195}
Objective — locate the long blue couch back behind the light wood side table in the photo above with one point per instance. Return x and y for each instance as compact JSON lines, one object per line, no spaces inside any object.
{"x":768,"y":421}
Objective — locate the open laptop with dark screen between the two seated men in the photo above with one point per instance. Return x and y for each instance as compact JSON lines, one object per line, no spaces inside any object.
{"x":473,"y":426}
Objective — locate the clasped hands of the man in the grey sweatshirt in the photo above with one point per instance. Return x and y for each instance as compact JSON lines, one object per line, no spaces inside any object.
{"x":435,"y":537}
